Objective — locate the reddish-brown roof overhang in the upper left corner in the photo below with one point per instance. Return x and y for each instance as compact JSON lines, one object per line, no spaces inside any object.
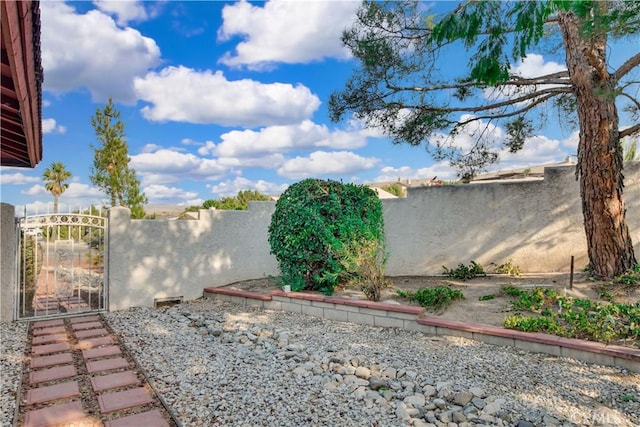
{"x":21,"y":95}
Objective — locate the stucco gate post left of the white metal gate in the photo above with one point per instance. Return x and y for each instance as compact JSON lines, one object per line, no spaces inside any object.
{"x":8,"y":261}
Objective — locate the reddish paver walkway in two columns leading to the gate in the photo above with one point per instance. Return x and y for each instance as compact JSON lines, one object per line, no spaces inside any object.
{"x":77,"y":373}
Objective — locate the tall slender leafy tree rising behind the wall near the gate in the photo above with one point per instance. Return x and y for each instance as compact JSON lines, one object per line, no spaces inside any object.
{"x":110,"y":171}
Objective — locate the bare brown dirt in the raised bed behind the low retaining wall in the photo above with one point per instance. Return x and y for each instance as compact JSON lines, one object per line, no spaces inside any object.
{"x":472,"y":308}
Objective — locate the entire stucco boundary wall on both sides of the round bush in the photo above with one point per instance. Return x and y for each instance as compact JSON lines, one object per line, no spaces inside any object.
{"x":537,"y":225}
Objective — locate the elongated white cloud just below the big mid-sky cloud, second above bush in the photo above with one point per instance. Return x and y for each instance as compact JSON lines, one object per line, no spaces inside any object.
{"x":280,"y":139}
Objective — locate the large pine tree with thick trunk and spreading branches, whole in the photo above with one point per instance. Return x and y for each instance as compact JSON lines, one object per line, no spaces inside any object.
{"x":400,"y":89}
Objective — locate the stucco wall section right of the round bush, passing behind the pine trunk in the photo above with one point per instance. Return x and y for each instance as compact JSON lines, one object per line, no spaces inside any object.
{"x":538,"y":225}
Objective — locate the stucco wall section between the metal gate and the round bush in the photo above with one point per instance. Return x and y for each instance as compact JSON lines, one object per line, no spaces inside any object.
{"x":151,"y":259}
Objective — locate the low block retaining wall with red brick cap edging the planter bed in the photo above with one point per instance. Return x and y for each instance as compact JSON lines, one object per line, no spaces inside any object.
{"x":414,"y":318}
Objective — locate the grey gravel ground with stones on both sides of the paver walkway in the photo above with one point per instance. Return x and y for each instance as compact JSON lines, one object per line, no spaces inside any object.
{"x":217,"y":363}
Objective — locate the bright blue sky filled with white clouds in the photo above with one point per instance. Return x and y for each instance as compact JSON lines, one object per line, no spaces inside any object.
{"x":219,"y":97}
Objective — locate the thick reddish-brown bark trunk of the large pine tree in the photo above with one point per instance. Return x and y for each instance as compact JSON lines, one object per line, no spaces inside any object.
{"x":599,"y":152}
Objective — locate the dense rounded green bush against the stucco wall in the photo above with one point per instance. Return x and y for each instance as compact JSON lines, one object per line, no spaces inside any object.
{"x":313,"y":226}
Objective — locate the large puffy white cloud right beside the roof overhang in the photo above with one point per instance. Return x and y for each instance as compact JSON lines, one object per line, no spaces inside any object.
{"x":89,"y":50}
